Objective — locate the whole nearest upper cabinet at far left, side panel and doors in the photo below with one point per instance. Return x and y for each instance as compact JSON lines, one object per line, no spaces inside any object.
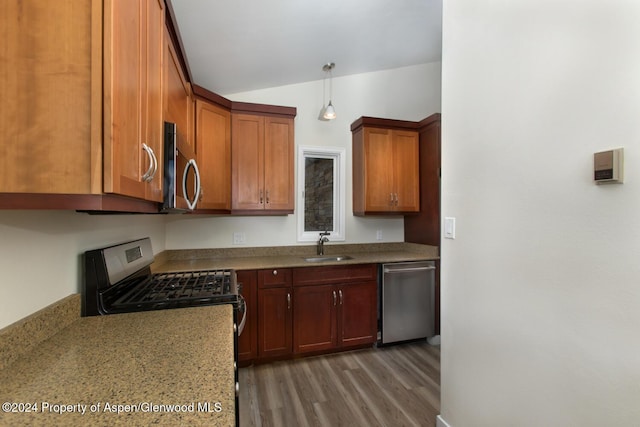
{"x":82,"y":108}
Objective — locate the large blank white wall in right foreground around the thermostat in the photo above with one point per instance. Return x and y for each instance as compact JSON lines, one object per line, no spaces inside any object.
{"x":541,"y":287}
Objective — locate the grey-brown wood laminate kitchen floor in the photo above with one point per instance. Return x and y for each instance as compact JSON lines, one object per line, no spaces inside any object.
{"x":389,"y":386}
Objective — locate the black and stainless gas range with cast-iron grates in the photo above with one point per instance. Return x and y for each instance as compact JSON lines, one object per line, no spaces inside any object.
{"x":118,"y":279}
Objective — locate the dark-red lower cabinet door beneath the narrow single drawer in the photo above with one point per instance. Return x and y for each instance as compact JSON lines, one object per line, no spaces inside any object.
{"x":274,"y":320}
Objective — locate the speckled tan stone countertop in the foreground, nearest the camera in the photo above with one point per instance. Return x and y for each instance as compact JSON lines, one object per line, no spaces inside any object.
{"x":167,"y":357}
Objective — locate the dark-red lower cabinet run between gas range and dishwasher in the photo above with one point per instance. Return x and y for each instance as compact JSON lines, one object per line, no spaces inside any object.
{"x":309,"y":310}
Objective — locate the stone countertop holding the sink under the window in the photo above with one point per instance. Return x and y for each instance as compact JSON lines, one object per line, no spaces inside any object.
{"x":289,"y":256}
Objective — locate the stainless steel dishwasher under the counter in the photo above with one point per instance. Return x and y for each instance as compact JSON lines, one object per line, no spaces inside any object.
{"x":407,"y":301}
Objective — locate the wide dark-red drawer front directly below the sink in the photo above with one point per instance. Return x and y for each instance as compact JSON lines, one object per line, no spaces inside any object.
{"x":306,"y":276}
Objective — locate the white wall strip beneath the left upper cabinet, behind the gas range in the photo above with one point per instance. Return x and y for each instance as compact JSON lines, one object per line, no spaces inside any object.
{"x":40,"y":253}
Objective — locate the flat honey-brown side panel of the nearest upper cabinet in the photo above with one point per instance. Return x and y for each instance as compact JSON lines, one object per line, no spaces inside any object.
{"x":51,"y":121}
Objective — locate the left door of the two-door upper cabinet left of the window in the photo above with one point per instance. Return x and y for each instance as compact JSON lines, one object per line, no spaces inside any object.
{"x":247,"y":157}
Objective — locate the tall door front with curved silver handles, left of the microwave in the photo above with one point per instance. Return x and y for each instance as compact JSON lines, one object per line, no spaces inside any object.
{"x":133,"y":132}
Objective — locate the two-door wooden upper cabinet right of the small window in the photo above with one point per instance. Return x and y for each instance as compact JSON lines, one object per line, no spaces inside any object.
{"x":386,"y":175}
